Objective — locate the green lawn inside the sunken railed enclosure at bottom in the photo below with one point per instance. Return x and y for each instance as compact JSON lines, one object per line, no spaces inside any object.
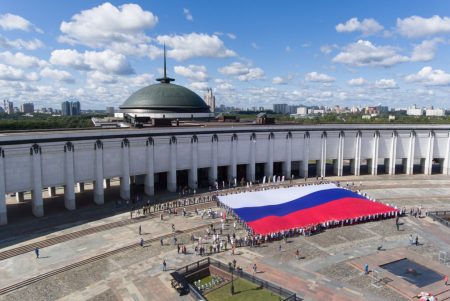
{"x":244,"y":291}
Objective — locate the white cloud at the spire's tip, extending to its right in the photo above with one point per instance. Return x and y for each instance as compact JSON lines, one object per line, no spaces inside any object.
{"x":183,"y":47}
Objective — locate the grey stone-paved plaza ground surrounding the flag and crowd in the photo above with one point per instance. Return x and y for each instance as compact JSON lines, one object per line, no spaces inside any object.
{"x":93,"y":253}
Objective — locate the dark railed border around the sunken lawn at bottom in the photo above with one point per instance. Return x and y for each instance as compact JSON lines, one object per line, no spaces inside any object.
{"x":184,"y":275}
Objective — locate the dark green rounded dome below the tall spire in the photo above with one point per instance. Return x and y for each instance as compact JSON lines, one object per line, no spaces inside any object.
{"x":165,"y":97}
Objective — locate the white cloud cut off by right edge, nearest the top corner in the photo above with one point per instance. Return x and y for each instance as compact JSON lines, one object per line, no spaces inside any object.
{"x":415,"y":26}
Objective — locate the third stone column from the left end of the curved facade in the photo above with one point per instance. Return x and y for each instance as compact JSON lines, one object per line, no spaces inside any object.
{"x":69,"y":189}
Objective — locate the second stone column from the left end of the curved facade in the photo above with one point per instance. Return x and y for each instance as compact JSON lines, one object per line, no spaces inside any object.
{"x":37,"y":204}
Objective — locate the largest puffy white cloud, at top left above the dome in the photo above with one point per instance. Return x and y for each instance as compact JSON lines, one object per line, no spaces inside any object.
{"x":106,"y":23}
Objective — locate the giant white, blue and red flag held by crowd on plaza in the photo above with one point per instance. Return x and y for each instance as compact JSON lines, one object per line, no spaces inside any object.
{"x":268,"y":211}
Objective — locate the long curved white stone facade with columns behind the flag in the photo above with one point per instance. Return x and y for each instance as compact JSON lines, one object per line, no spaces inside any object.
{"x":35,"y":161}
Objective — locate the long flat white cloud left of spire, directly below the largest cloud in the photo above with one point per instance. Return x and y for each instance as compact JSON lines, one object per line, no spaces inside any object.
{"x":105,"y":61}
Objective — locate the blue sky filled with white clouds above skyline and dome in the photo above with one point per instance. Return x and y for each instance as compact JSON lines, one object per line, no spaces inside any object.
{"x":250,"y":53}
